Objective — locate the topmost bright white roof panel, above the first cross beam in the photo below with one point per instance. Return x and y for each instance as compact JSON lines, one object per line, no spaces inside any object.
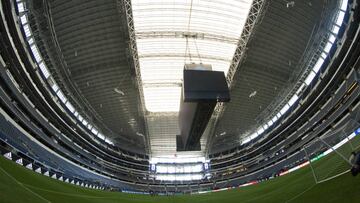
{"x":219,"y":17}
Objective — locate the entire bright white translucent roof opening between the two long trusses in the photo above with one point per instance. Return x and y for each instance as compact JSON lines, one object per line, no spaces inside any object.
{"x":170,"y":33}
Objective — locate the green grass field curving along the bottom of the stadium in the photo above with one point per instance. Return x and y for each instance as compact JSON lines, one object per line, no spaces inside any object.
{"x":18,"y":184}
